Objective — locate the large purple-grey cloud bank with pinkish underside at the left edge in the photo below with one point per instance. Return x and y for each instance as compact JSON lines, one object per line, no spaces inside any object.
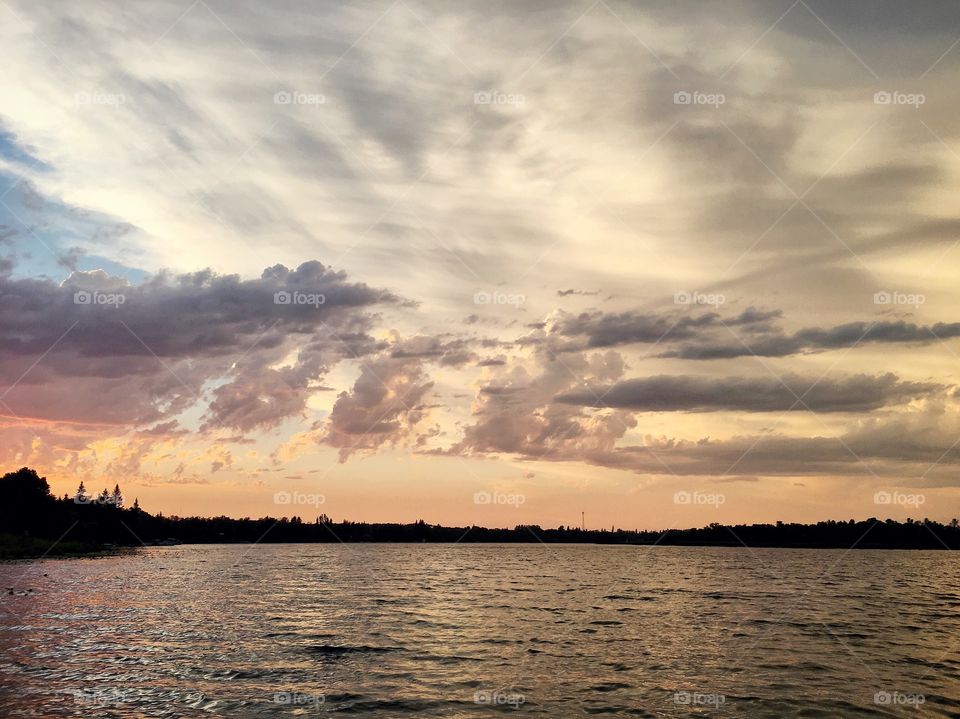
{"x":97,"y":349}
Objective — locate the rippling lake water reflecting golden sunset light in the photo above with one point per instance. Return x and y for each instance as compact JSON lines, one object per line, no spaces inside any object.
{"x":464,"y":630}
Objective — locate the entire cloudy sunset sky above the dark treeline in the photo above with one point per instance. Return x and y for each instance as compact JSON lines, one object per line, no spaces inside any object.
{"x":636,"y":264}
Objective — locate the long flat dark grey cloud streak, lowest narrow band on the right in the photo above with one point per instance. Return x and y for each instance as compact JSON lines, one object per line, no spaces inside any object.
{"x":860,"y":393}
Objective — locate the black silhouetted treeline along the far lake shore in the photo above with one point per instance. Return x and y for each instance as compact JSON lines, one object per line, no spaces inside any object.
{"x":33,"y":522}
